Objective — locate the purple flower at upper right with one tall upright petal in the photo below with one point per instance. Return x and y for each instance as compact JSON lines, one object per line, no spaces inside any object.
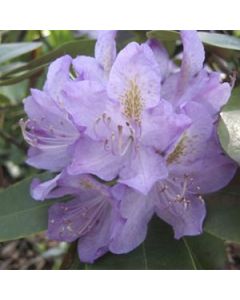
{"x":192,"y":82}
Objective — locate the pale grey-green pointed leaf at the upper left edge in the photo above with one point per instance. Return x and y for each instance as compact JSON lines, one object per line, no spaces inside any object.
{"x":12,"y":50}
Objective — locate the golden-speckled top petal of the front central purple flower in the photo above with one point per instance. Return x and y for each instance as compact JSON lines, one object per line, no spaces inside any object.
{"x":135,"y":77}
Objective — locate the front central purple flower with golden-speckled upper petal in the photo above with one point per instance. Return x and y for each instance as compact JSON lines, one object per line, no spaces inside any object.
{"x":127,"y":125}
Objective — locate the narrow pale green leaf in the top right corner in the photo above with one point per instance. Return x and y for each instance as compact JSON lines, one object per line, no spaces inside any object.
{"x":220,"y":40}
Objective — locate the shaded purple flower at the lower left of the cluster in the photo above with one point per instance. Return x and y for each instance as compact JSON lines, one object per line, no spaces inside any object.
{"x":90,"y":217}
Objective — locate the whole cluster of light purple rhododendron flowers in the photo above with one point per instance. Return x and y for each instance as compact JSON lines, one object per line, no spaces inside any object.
{"x":130,"y":135}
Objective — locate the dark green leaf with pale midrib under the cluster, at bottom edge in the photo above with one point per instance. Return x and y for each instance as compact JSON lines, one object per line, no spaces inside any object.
{"x":160,"y":251}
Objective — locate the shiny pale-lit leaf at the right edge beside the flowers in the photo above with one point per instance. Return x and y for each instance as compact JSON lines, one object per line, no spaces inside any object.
{"x":229,"y":126}
